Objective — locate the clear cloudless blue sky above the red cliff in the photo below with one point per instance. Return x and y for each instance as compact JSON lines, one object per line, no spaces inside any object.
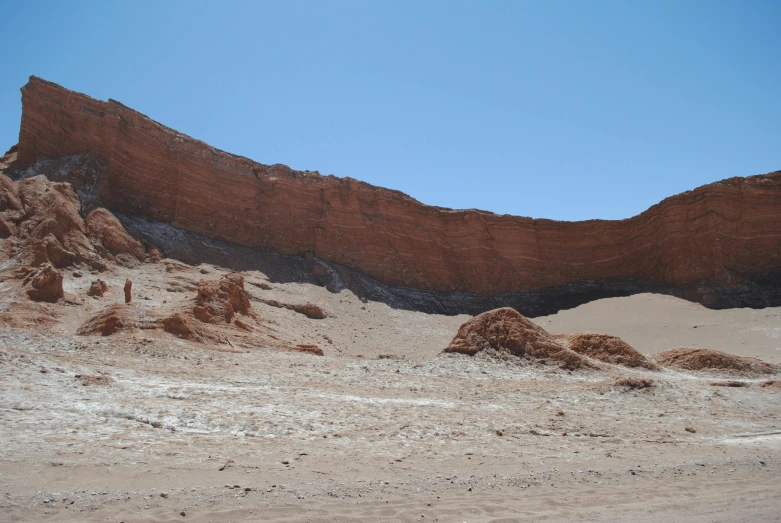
{"x":556,"y":109}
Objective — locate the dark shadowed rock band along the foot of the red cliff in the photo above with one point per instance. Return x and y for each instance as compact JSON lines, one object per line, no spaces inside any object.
{"x":756,"y":291}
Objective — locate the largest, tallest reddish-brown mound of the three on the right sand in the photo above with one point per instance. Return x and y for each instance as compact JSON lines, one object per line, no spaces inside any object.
{"x":507,"y":330}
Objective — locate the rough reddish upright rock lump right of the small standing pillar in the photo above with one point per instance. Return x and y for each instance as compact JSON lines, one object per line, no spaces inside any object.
{"x":219,"y":300}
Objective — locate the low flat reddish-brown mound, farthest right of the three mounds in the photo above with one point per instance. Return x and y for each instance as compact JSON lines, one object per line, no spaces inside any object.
{"x":694,"y":359}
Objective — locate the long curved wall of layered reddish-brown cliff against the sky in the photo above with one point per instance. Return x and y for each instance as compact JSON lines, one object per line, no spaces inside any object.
{"x":706,"y":241}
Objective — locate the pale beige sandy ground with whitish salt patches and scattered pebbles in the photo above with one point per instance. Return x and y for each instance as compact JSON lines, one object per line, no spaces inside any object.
{"x":241,"y":432}
